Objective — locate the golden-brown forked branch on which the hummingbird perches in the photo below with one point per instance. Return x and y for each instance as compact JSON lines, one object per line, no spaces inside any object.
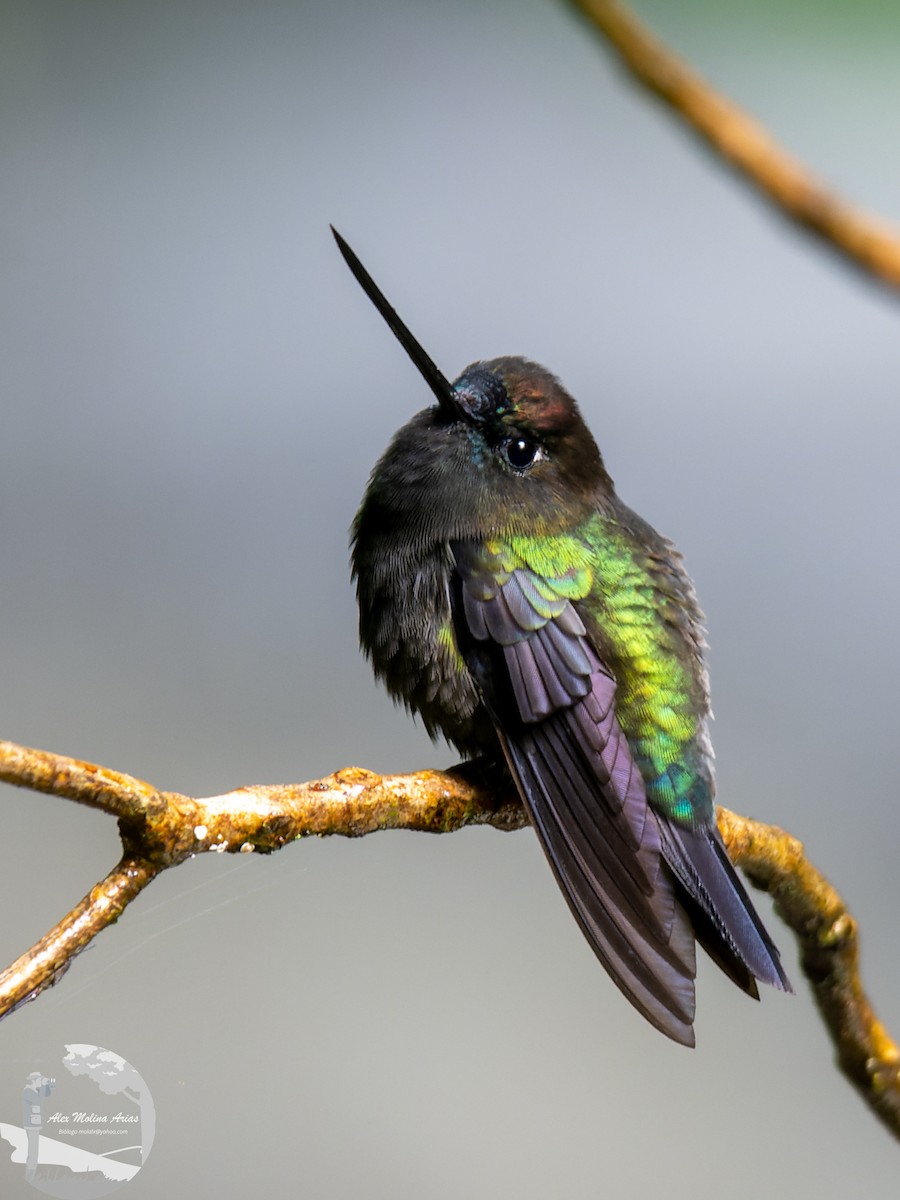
{"x":161,"y":830}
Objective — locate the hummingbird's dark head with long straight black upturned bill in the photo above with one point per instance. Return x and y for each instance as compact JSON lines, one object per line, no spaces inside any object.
{"x":506,"y":447}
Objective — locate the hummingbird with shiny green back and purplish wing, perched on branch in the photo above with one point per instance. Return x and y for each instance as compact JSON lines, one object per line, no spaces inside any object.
{"x":511,"y":599}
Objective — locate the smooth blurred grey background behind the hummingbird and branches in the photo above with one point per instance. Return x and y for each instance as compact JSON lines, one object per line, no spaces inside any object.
{"x":193,"y":393}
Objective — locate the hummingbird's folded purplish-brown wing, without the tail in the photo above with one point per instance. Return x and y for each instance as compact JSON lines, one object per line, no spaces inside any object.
{"x":554,"y":706}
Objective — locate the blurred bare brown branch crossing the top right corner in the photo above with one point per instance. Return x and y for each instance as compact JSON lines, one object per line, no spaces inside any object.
{"x":865,"y":241}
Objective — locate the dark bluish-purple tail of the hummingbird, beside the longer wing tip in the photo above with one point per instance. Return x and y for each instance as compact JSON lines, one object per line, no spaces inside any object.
{"x":725,"y":921}
